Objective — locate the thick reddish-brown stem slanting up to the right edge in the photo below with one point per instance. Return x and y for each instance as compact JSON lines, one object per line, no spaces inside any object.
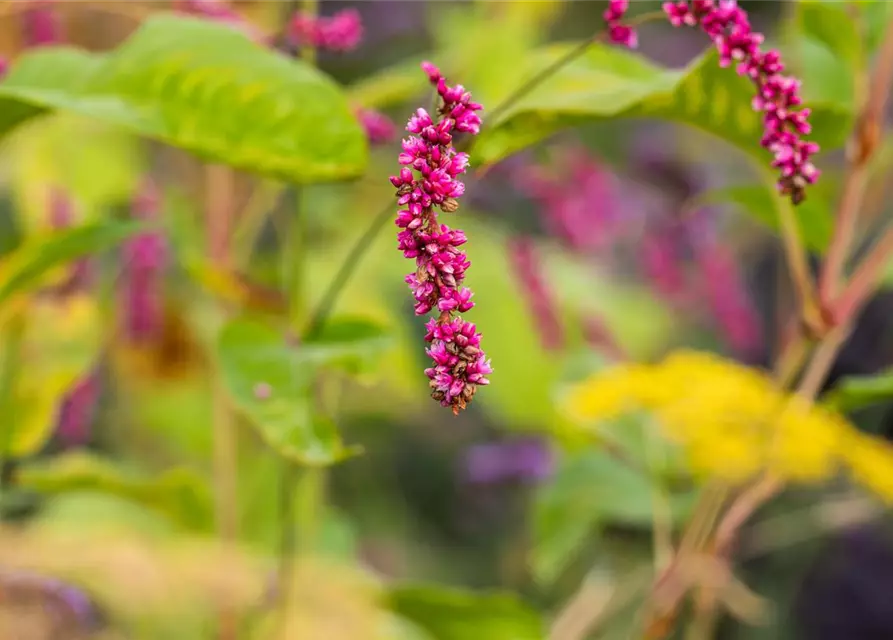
{"x":861,"y":149}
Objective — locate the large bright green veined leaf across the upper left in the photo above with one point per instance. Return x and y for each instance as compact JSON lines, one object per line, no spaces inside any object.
{"x":229,"y":100}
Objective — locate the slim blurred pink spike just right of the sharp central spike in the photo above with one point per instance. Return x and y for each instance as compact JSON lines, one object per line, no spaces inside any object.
{"x":525,"y":263}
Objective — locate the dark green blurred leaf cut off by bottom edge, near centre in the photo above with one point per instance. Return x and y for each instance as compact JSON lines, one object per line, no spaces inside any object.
{"x":451,"y":614}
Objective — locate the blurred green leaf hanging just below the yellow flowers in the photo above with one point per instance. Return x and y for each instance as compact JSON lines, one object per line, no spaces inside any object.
{"x":588,"y":491}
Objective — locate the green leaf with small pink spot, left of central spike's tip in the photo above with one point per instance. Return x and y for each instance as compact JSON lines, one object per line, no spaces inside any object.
{"x":270,"y":380}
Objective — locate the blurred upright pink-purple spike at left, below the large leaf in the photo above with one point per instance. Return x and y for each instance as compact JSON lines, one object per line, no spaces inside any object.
{"x":145,"y":257}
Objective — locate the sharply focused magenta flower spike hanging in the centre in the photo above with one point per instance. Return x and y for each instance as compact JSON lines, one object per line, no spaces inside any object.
{"x":429,"y":180}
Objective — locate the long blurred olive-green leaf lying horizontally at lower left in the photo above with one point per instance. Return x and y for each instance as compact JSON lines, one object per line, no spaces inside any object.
{"x":178,"y":493}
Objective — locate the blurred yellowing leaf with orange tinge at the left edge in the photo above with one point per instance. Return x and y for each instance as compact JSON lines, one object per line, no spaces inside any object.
{"x":61,"y":341}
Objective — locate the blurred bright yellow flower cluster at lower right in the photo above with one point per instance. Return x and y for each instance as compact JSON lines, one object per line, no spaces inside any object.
{"x":733,"y":422}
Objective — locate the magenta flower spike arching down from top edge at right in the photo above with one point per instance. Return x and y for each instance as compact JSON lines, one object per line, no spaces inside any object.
{"x":777,"y":96}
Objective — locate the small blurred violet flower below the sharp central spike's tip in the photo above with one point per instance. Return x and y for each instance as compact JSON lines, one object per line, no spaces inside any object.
{"x":527,"y":459}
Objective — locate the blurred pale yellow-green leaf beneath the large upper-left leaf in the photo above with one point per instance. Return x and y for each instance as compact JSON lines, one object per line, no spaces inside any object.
{"x":92,"y":164}
